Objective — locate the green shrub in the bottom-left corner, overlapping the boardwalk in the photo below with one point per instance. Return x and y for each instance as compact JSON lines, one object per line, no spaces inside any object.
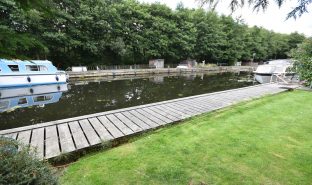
{"x":18,"y":165}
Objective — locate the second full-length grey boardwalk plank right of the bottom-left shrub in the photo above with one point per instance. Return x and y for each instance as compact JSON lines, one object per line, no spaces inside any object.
{"x":66,"y":140}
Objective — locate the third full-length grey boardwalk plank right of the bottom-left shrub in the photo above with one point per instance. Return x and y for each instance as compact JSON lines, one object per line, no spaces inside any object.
{"x":78,"y":135}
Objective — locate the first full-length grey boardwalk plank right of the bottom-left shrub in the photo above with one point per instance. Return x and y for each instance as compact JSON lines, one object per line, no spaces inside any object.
{"x":51,"y":142}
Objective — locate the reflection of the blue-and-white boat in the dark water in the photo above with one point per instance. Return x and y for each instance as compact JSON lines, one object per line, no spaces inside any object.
{"x":21,"y":97}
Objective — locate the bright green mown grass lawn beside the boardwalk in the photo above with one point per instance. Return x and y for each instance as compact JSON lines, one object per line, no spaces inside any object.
{"x":265,"y":141}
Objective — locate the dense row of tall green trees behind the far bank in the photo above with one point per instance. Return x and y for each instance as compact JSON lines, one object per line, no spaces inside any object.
{"x":128,"y":32}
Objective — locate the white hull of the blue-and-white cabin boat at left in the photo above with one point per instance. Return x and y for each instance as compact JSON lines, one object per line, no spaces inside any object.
{"x":30,"y":80}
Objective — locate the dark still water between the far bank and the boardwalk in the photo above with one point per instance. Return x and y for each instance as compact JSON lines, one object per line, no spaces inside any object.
{"x":92,"y":97}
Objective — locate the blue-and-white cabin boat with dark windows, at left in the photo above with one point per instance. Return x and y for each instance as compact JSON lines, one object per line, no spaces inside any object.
{"x":16,"y":73}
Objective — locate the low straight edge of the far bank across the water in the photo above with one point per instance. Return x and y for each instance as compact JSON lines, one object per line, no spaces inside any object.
{"x":134,"y":72}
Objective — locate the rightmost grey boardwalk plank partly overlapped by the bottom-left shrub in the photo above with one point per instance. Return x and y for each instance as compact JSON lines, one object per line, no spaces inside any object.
{"x":37,"y":141}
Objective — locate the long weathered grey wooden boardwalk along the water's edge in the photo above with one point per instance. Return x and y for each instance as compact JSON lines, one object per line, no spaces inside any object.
{"x":54,"y":138}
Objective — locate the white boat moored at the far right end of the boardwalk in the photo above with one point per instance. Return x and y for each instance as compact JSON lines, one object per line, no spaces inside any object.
{"x":275,"y":70}
